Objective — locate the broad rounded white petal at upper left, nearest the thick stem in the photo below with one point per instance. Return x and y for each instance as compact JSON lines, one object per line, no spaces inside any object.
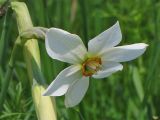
{"x":64,"y":46}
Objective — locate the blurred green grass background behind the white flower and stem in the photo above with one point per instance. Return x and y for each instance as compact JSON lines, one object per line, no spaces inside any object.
{"x":132,"y":94}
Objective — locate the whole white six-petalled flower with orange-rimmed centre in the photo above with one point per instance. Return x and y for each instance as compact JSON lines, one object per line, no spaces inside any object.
{"x":100,"y":60}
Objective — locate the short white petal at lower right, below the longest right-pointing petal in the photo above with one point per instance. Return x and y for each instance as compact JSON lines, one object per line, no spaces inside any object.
{"x":107,"y":69}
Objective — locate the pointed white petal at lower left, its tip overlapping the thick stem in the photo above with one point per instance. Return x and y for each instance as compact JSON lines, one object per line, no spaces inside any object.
{"x":62,"y":82}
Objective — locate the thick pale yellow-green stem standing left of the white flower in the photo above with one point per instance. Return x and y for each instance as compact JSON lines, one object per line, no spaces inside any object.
{"x":32,"y":58}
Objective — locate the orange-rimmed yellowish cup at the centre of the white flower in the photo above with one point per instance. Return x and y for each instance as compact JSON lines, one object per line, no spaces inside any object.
{"x":91,"y":66}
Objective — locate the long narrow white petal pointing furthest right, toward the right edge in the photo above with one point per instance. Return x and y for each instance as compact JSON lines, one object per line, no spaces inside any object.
{"x":124,"y":53}
